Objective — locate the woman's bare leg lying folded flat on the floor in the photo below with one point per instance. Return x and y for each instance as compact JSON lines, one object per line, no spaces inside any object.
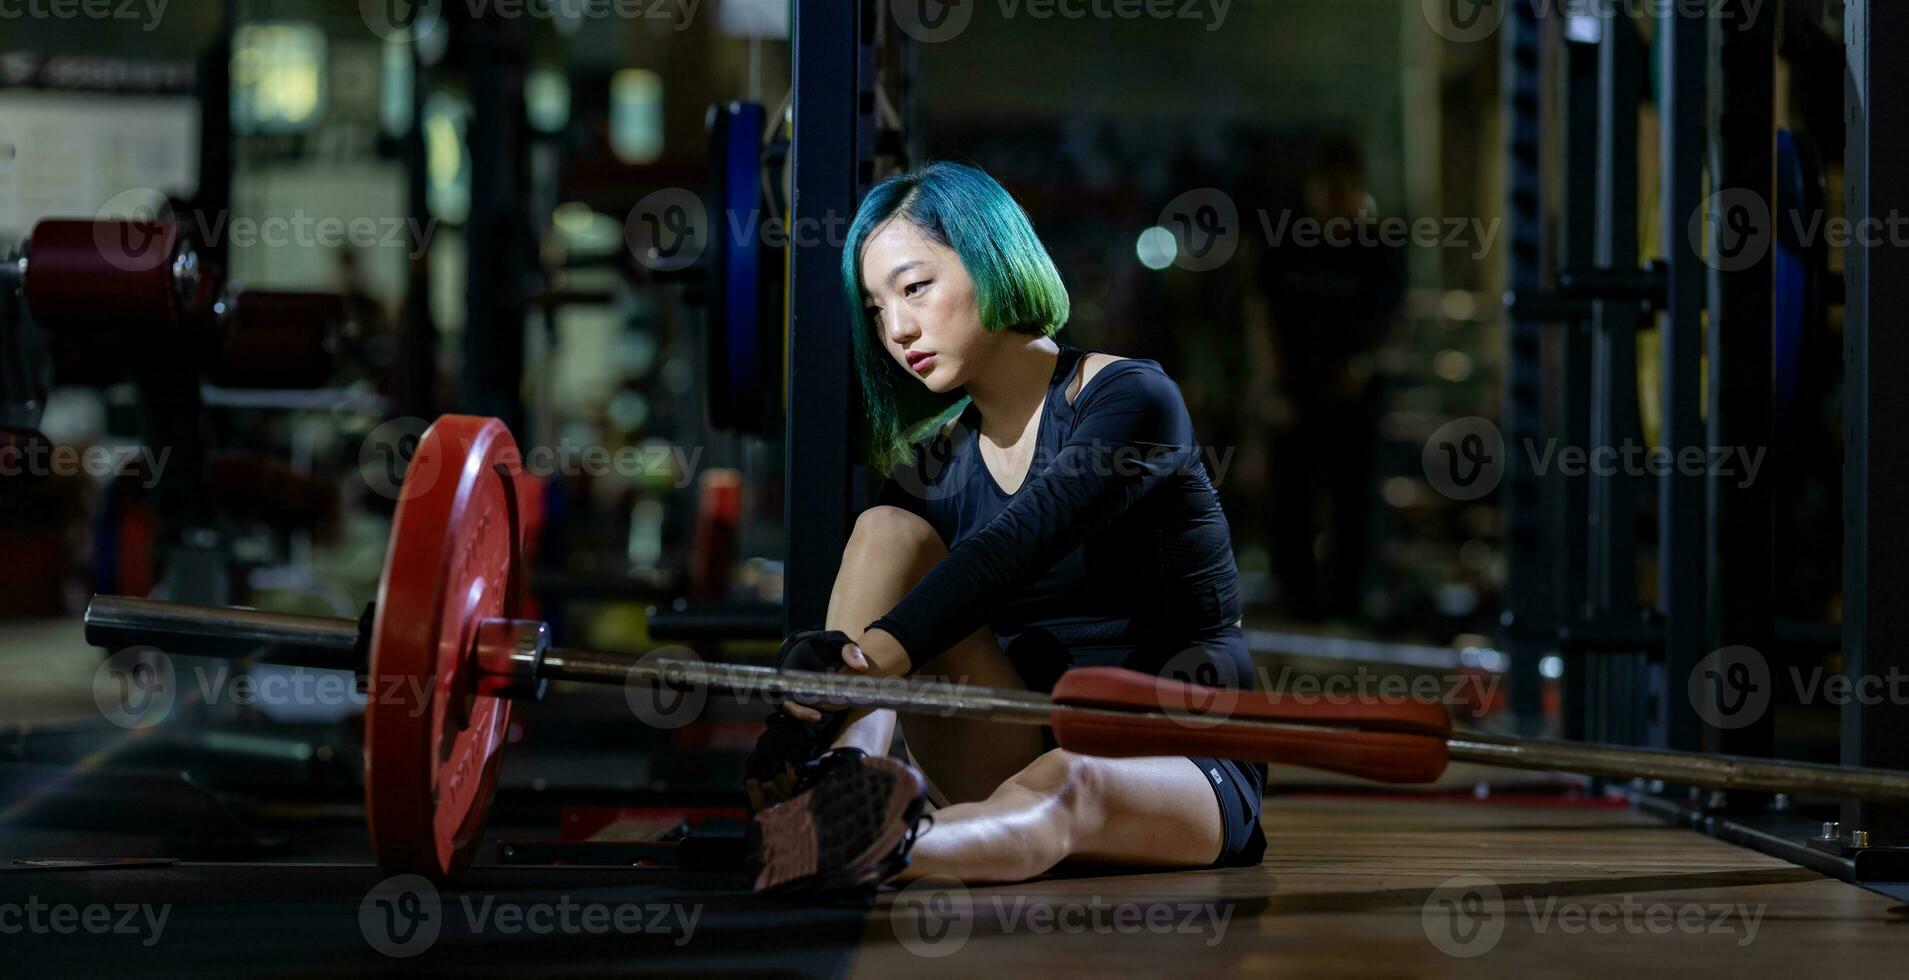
{"x":1146,"y":813}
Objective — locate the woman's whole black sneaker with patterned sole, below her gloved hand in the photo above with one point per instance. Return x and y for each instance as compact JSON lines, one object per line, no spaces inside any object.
{"x":852,"y":828}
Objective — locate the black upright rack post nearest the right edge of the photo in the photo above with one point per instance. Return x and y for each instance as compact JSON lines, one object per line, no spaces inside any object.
{"x":1876,"y":561}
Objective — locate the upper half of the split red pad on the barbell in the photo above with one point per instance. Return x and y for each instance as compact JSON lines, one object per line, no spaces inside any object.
{"x":1122,"y":689}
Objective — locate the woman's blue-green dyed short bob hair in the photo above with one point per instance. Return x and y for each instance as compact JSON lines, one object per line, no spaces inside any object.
{"x":1015,"y":284}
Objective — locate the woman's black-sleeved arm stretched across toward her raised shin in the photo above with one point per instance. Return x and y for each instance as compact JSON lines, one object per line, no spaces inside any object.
{"x":1131,"y":437}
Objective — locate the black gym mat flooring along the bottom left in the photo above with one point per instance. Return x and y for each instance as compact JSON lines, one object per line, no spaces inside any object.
{"x":257,"y":920}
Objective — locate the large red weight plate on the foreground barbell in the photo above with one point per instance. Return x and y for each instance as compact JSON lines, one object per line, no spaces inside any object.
{"x":432,"y":742}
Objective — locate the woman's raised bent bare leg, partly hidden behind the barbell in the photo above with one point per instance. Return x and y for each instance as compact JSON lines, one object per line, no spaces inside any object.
{"x":963,"y":759}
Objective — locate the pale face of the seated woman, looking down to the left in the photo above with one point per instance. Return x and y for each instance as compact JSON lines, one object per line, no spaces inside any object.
{"x":923,"y":307}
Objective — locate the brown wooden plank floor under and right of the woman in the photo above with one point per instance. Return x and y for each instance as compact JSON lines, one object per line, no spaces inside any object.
{"x":1414,"y":887}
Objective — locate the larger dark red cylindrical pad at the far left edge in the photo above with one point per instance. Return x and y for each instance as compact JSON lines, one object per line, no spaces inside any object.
{"x":102,"y":274}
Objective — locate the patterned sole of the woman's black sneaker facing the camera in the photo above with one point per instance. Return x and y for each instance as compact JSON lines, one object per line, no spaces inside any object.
{"x":801,"y":840}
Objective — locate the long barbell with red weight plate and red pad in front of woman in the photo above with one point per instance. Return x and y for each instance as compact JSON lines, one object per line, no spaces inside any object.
{"x":448,"y":654}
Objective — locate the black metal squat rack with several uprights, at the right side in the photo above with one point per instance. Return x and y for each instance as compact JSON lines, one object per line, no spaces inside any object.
{"x":1578,"y":299}
